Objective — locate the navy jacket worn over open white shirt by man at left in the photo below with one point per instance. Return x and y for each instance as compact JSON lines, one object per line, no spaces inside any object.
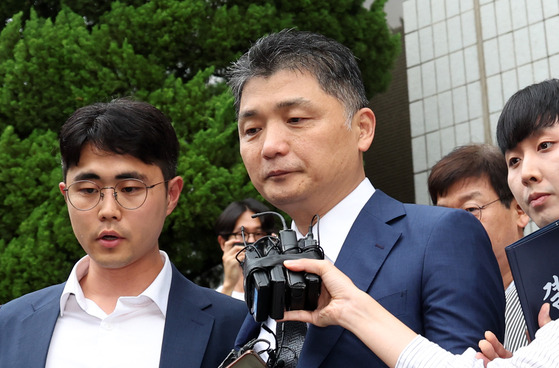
{"x":200,"y":326}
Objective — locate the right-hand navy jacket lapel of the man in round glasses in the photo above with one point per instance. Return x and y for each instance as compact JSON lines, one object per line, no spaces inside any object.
{"x":187,"y":326}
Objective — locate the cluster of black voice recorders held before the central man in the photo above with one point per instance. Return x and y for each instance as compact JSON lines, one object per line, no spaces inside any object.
{"x":270,"y":288}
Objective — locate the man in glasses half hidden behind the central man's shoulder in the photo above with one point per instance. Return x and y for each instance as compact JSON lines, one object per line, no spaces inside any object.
{"x":474,"y":178}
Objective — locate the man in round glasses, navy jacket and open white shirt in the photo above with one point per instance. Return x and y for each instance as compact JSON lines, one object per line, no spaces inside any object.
{"x":124,"y":304}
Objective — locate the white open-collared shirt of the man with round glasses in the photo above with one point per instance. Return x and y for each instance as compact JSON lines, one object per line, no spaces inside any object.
{"x":131,"y":336}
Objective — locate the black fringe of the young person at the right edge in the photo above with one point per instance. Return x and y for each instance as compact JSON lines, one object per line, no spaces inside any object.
{"x":527,"y":111}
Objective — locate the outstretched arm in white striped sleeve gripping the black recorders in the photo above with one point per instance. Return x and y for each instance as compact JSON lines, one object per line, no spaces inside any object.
{"x":342,"y":303}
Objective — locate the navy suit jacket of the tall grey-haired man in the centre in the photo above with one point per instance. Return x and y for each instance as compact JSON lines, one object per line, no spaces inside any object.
{"x":431,"y":267}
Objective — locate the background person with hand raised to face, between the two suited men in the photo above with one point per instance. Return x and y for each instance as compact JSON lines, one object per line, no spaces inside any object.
{"x":235,"y":228}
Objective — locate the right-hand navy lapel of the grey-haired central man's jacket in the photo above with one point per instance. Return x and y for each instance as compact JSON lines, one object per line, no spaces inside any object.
{"x":365,"y":249}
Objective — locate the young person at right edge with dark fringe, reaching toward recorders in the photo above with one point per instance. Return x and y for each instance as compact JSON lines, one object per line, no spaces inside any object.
{"x":528,"y":136}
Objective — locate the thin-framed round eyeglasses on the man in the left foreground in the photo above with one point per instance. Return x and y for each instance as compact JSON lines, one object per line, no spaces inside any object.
{"x":131,"y":194}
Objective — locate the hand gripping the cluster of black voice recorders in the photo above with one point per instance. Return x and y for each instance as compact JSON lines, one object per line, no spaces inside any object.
{"x":337,"y":297}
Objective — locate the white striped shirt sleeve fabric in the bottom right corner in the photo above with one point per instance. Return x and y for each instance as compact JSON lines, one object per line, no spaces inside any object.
{"x":543,"y":352}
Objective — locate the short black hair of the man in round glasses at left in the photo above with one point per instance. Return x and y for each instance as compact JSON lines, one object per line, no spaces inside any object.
{"x":124,"y":127}
